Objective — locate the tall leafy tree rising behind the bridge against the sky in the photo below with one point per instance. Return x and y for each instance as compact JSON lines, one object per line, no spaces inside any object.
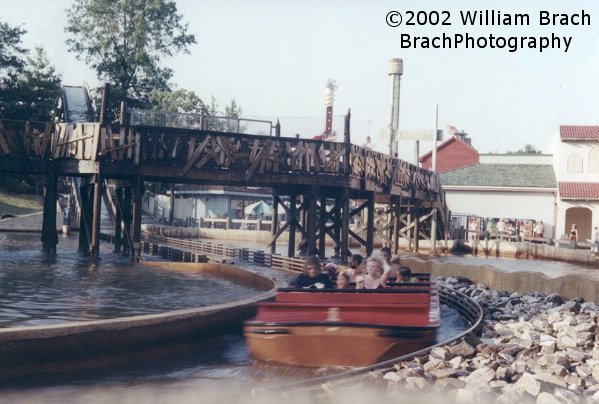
{"x":124,"y":42}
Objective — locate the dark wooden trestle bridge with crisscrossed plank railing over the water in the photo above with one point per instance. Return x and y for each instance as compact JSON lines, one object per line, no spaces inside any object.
{"x":321,"y":186}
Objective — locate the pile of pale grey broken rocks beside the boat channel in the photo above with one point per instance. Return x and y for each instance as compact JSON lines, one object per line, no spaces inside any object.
{"x":534,"y":348}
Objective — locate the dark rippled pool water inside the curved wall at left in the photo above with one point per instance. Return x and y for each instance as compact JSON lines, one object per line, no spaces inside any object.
{"x":37,"y":291}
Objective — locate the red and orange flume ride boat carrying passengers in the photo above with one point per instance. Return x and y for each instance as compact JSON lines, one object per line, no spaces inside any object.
{"x":344,"y":327}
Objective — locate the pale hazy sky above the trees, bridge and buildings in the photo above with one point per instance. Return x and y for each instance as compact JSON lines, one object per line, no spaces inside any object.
{"x":275,"y":57}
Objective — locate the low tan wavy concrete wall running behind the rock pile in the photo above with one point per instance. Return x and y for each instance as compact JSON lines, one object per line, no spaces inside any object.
{"x":568,"y":286}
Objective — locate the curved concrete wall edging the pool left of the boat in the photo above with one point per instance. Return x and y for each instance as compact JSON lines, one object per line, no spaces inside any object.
{"x":85,"y":345}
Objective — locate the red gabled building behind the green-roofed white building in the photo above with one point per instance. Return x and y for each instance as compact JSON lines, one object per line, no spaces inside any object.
{"x":455,"y":152}
